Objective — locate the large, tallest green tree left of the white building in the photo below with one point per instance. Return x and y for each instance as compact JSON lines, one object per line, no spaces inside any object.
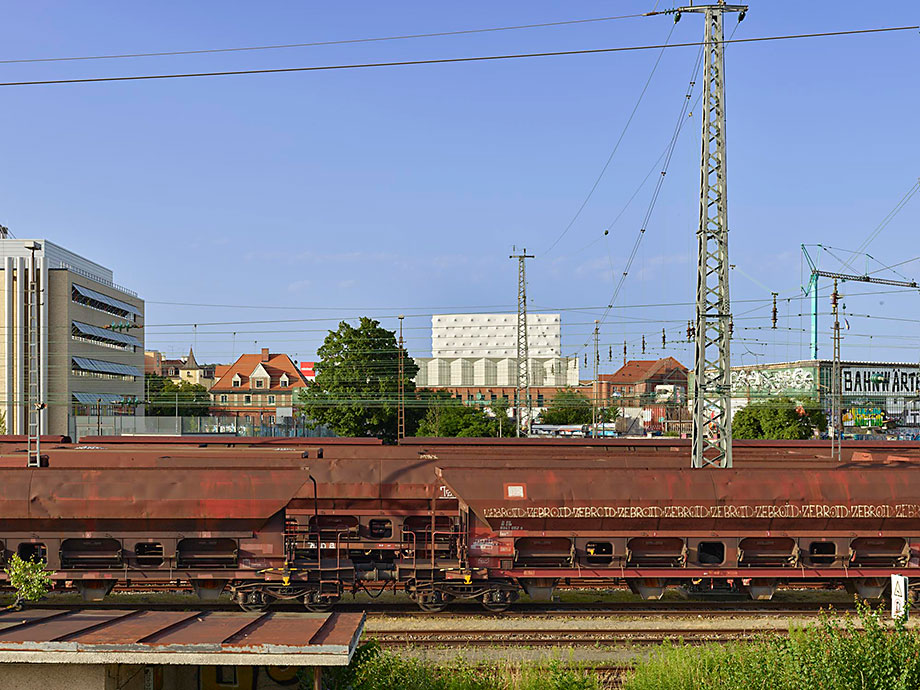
{"x":356,"y":389}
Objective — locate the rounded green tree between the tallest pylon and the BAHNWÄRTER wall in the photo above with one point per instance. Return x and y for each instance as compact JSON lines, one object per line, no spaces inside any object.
{"x":778,"y":418}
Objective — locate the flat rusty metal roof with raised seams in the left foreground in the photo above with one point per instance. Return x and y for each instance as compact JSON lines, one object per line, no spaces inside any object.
{"x":213,"y":638}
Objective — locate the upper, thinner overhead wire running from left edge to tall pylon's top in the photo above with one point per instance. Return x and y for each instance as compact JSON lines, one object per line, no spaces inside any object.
{"x":347,"y":41}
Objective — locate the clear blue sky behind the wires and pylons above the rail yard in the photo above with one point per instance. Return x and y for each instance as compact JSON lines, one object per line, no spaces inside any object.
{"x":327,"y":195}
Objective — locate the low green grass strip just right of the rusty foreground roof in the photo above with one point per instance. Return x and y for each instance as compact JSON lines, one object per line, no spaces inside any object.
{"x":373,"y":669}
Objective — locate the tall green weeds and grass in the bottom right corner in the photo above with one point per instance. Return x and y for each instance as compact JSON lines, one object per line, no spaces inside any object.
{"x":862,"y":653}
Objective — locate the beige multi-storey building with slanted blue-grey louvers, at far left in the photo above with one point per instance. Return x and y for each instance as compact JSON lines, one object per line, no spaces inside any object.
{"x":89,"y":336}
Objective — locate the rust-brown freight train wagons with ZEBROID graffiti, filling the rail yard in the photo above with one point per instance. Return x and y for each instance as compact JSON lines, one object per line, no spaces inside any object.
{"x":444,"y":521}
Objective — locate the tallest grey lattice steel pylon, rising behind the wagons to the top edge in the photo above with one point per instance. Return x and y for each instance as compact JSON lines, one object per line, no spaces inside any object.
{"x":712,"y":423}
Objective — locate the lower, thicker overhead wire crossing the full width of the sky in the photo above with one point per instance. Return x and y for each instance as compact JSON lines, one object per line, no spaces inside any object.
{"x":440,"y":61}
